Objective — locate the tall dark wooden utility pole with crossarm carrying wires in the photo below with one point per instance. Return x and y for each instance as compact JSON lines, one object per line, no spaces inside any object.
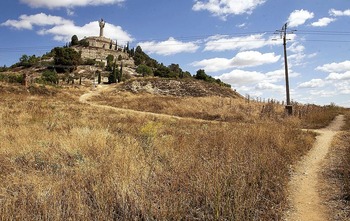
{"x":283,"y":32}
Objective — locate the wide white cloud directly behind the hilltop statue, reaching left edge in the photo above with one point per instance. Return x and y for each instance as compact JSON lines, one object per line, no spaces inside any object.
{"x":62,"y":29}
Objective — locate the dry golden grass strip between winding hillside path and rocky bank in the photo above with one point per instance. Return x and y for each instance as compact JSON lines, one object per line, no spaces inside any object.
{"x":224,"y":109}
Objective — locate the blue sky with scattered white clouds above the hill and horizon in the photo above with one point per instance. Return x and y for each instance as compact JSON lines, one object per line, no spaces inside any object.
{"x":232,"y":40}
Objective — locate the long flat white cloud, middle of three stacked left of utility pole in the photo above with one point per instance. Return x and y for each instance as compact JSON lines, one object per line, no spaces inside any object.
{"x":242,"y":59}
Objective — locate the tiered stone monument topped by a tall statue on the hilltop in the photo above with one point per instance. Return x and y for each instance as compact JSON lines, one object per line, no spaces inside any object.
{"x":100,"y":47}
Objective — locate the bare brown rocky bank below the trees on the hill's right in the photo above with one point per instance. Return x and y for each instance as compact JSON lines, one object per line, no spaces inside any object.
{"x":177,"y":87}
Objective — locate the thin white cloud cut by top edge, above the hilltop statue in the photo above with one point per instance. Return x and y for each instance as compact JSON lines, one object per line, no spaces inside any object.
{"x":68,"y":3}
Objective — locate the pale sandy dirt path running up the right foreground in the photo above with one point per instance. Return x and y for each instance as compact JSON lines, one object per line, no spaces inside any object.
{"x":303,"y":187}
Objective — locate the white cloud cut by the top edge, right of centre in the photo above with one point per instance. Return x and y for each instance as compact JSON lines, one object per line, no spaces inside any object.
{"x":223,"y":8}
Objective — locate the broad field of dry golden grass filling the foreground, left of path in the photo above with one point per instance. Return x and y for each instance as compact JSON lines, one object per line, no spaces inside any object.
{"x":64,"y":160}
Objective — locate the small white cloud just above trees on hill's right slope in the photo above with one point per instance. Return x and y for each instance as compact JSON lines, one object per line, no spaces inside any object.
{"x":168,"y":47}
